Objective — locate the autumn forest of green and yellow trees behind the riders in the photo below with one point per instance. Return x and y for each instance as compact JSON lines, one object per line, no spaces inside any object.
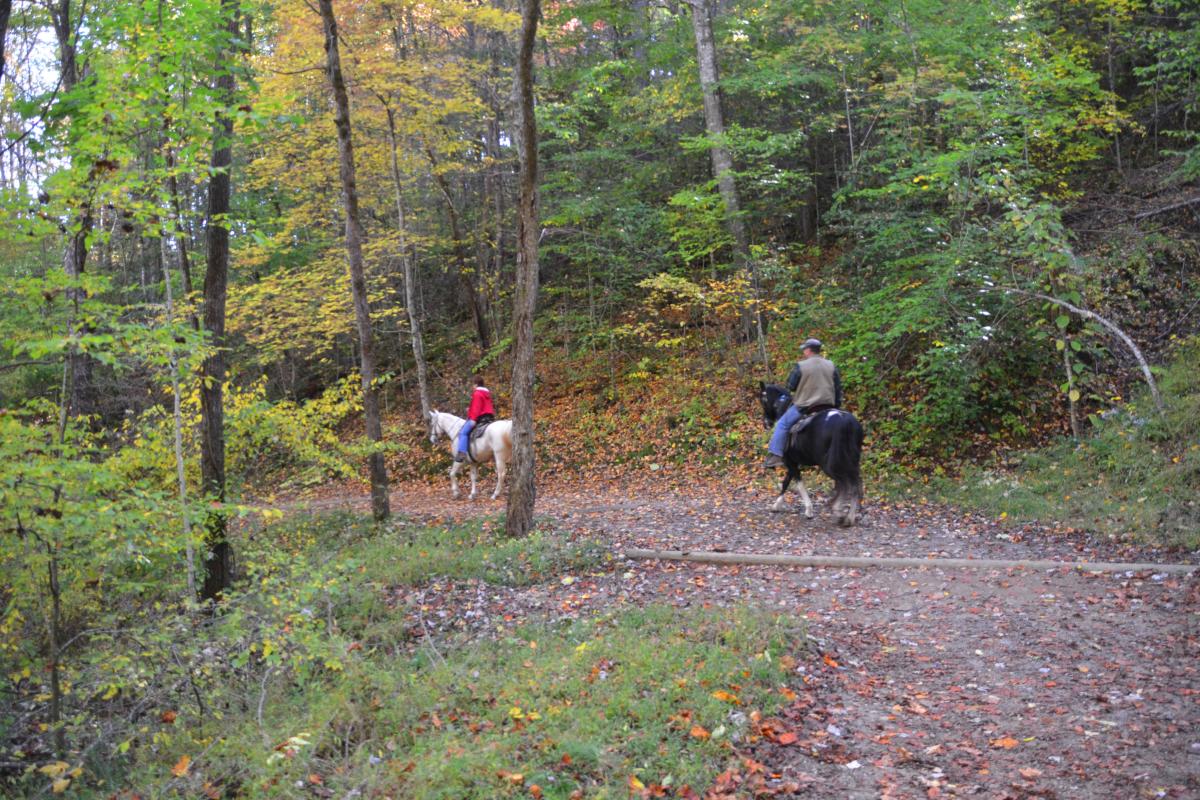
{"x":989,"y":212}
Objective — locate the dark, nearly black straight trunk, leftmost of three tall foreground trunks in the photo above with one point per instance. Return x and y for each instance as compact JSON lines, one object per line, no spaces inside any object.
{"x":219,"y":561}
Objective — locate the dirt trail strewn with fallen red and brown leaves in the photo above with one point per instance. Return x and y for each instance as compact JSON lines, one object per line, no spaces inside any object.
{"x":932,"y":682}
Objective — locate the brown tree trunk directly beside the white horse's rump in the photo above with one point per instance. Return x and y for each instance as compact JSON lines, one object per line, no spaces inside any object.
{"x":523,"y":490}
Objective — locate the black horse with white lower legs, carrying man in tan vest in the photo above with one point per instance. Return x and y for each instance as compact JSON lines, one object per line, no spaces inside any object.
{"x":832,"y":441}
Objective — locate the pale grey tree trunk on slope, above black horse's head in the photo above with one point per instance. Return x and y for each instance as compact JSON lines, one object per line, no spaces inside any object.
{"x":723,"y":164}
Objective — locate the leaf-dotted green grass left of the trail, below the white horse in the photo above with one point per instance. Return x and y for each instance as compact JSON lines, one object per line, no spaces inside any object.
{"x":305,"y":687}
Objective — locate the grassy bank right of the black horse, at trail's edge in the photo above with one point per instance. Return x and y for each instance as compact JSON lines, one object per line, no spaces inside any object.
{"x":1137,"y":477}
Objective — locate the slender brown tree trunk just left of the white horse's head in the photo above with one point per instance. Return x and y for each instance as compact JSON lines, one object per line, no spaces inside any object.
{"x":355,"y":237}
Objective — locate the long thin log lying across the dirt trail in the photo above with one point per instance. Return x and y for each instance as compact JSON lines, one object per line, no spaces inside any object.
{"x":771,"y":560}
